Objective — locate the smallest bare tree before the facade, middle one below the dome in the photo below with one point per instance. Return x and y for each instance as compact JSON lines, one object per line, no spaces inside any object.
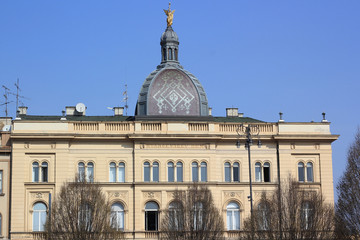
{"x":192,"y":215}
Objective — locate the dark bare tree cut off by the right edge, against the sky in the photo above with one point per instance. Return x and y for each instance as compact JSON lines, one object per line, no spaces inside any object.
{"x":348,"y":204}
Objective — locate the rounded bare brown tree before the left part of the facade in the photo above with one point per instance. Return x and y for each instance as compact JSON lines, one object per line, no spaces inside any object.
{"x":81,"y":211}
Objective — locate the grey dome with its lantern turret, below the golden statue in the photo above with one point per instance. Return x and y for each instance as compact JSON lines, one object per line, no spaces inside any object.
{"x":170,"y":90}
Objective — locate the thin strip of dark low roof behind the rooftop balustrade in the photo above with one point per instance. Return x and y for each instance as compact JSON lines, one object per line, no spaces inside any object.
{"x":132,"y":118}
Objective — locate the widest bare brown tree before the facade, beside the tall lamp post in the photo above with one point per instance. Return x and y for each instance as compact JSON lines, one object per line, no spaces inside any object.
{"x":291,"y":212}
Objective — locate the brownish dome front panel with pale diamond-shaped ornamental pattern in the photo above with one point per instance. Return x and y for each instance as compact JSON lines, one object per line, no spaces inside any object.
{"x":173,"y":93}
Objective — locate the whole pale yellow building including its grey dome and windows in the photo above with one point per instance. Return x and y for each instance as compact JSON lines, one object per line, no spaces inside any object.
{"x":171,"y":142}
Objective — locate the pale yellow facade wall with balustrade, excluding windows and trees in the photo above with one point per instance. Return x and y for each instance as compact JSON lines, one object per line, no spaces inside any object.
{"x":63,"y":144}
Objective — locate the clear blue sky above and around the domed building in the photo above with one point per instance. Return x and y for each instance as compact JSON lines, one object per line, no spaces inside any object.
{"x":298,"y":57}
